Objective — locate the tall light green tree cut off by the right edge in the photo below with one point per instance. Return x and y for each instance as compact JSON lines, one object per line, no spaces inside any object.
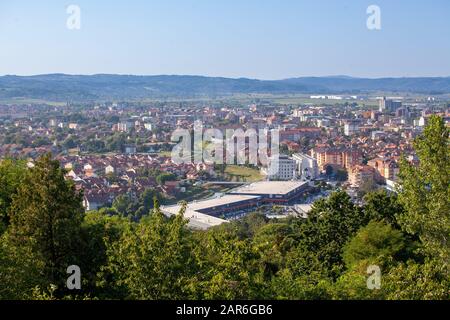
{"x":425,"y":191}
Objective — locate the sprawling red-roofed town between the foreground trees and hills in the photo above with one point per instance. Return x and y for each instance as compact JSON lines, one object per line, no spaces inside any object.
{"x":121,"y":153}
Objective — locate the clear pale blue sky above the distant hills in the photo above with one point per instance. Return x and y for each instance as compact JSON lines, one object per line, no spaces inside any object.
{"x":265,"y":39}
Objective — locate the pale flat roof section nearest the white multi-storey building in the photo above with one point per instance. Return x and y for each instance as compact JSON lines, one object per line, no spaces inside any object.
{"x":269,"y":187}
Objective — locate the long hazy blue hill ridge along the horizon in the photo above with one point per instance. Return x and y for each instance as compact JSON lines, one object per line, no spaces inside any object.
{"x":62,"y":87}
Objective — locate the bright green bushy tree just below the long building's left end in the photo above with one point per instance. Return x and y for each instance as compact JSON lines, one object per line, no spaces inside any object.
{"x":152,"y":259}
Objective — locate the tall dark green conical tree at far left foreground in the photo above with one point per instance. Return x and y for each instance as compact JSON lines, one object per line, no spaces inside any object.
{"x":46,"y":215}
